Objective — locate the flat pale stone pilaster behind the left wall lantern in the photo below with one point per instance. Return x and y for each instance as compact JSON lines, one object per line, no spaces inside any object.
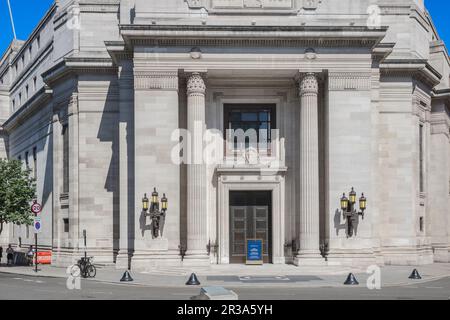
{"x":156,"y":120}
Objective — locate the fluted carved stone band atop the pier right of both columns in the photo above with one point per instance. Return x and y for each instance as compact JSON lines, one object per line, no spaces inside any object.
{"x":339,"y":81}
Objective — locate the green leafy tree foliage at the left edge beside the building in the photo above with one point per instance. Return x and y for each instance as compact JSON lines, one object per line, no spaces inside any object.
{"x":17,"y":191}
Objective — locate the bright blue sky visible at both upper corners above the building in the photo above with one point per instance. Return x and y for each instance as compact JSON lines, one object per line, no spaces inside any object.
{"x":27,"y":14}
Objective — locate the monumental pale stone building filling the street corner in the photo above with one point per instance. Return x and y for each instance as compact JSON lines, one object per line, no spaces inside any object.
{"x":357,"y":94}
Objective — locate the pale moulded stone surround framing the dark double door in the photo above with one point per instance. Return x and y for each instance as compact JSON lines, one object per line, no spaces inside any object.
{"x":251,"y":179}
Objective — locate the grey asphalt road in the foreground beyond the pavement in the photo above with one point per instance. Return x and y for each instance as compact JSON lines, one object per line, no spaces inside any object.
{"x":30,"y":288}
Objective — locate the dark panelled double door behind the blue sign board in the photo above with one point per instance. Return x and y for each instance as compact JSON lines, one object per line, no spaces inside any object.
{"x":250,"y":218}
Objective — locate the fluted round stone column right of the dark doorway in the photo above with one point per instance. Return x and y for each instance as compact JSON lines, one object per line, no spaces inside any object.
{"x":309,"y":252}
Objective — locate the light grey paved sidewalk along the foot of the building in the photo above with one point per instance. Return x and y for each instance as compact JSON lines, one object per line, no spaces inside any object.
{"x":252,"y":276}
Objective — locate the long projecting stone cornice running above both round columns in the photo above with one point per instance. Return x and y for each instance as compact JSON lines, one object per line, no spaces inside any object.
{"x":252,"y":36}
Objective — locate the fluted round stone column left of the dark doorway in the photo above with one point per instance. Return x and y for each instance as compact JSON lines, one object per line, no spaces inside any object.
{"x":197,"y":224}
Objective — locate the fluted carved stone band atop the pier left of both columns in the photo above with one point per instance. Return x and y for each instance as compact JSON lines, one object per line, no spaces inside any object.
{"x":155,"y":80}
